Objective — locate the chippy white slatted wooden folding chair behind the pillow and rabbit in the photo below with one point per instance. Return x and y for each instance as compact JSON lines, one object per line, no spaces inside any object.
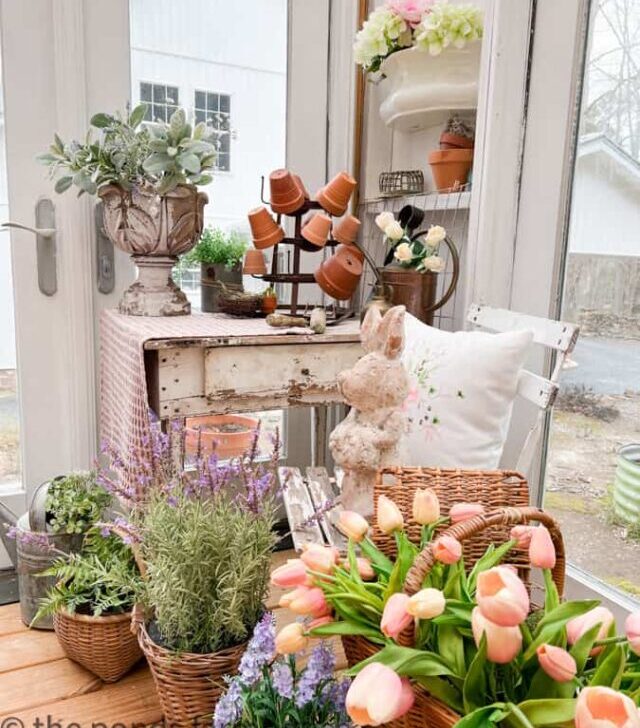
{"x":305,"y":496}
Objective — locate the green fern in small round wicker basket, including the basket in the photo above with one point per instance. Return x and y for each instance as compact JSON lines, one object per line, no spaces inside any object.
{"x":91,"y":603}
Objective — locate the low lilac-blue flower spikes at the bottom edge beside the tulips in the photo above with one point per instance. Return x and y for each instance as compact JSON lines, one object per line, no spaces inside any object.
{"x":272,"y":691}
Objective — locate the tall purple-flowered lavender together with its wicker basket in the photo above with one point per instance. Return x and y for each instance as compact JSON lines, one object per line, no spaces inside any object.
{"x":203,"y":542}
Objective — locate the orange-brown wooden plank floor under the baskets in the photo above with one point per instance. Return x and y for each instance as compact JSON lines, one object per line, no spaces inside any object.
{"x":40,"y":687}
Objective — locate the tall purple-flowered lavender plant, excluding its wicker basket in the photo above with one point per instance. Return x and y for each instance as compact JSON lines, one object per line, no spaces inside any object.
{"x":203,"y":539}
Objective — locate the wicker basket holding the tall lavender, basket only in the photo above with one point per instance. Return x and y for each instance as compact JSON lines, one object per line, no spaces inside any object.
{"x":188,"y":685}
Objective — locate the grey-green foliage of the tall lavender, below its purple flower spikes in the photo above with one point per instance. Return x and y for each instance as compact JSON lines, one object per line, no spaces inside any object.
{"x":207,"y":565}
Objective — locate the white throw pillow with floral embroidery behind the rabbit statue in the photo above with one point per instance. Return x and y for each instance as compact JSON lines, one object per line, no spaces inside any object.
{"x":461,"y":394}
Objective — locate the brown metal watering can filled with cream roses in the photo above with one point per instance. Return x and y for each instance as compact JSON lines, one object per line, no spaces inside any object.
{"x":413,"y":264}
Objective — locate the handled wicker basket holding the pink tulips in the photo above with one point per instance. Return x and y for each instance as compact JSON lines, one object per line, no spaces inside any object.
{"x":475,"y":534}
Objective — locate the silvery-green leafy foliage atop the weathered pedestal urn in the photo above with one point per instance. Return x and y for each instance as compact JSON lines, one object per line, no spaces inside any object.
{"x":130,"y":153}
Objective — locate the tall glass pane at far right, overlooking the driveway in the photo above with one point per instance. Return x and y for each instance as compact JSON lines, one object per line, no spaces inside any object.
{"x":598,"y":410}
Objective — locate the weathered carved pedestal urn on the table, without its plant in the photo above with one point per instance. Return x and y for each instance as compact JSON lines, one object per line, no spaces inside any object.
{"x":154,"y":229}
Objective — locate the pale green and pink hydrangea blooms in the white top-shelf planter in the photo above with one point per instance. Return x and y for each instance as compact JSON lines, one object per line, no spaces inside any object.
{"x":425,"y":24}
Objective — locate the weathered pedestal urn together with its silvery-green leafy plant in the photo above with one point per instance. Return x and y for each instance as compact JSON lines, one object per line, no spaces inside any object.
{"x":147,"y":176}
